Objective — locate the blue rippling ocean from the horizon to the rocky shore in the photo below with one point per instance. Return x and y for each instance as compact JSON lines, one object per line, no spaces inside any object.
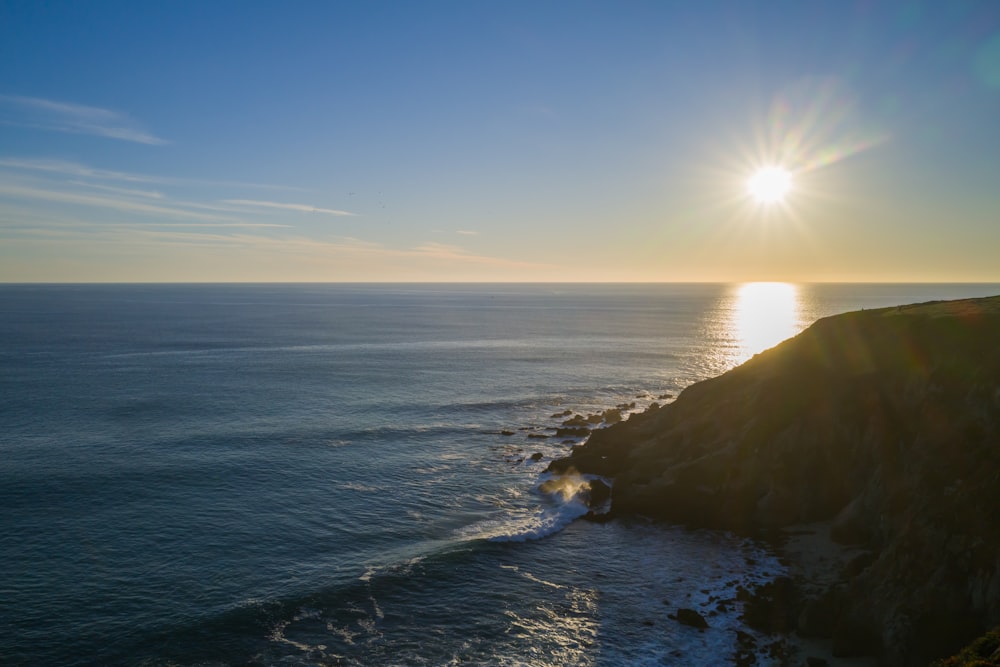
{"x":321,"y":474}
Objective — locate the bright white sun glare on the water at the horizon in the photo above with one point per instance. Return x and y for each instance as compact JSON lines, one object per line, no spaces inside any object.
{"x":764,"y":315}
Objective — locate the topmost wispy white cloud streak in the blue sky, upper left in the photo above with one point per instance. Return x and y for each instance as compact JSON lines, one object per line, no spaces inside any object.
{"x":73,"y":118}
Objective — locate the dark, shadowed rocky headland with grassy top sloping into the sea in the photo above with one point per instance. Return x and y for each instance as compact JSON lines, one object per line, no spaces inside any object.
{"x":885,"y":422}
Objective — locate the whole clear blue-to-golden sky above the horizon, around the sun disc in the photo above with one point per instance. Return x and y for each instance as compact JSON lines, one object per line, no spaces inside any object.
{"x":496,"y":141}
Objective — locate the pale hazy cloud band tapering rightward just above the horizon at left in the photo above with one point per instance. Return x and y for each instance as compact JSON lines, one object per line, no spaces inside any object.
{"x":151,"y":252}
